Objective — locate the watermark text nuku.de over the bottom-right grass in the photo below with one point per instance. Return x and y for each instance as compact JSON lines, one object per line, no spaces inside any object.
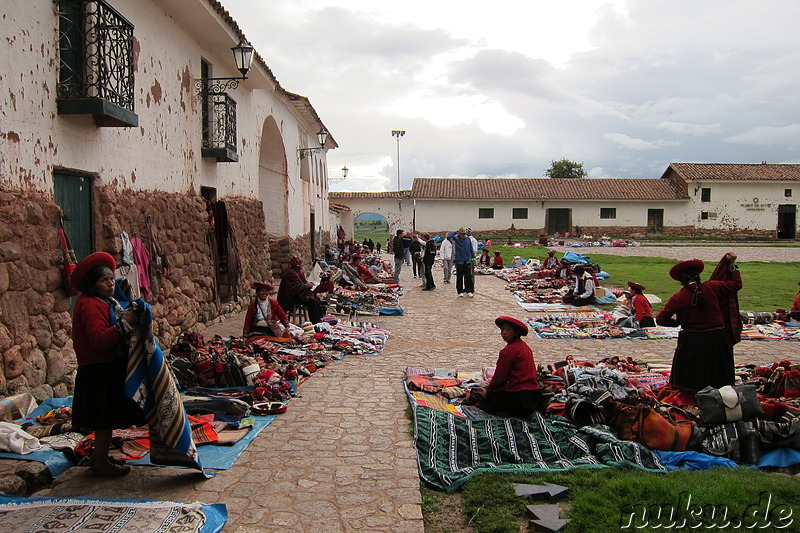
{"x":684,"y":514}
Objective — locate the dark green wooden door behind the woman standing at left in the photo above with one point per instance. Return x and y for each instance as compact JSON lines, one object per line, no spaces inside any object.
{"x":73,"y":194}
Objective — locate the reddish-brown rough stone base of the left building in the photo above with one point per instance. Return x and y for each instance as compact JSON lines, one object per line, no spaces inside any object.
{"x":35,"y":323}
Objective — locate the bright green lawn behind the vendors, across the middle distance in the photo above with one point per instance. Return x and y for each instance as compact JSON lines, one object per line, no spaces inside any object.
{"x":766,"y":286}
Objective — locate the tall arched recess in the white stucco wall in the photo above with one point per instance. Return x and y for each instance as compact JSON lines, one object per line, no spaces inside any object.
{"x":273,"y":178}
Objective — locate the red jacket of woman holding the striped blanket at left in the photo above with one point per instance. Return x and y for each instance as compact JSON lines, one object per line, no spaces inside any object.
{"x":94,"y":338}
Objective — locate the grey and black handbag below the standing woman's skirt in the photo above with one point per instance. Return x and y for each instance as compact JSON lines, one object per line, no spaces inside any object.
{"x":728,"y":404}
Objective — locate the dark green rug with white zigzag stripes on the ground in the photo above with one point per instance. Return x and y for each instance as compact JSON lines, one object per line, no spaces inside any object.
{"x":451,"y":449}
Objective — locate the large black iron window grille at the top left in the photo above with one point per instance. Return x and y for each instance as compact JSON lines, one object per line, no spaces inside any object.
{"x":95,"y":62}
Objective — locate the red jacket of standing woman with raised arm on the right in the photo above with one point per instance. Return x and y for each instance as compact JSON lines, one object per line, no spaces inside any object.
{"x":696,"y":318}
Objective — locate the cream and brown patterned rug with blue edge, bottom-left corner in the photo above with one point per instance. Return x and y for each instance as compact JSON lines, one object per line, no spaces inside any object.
{"x":57,"y":515}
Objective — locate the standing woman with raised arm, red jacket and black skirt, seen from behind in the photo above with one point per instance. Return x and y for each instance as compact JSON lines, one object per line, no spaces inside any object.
{"x":704,"y":353}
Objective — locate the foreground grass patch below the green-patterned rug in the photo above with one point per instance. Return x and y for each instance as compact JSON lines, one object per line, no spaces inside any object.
{"x":610,"y":500}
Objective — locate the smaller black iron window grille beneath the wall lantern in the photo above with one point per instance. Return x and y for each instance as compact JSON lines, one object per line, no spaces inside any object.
{"x":219,"y":127}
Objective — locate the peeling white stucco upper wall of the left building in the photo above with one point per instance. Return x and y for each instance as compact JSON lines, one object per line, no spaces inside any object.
{"x":163,"y":152}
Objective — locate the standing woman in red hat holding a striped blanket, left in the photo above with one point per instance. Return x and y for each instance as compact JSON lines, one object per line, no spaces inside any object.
{"x":100,"y":331}
